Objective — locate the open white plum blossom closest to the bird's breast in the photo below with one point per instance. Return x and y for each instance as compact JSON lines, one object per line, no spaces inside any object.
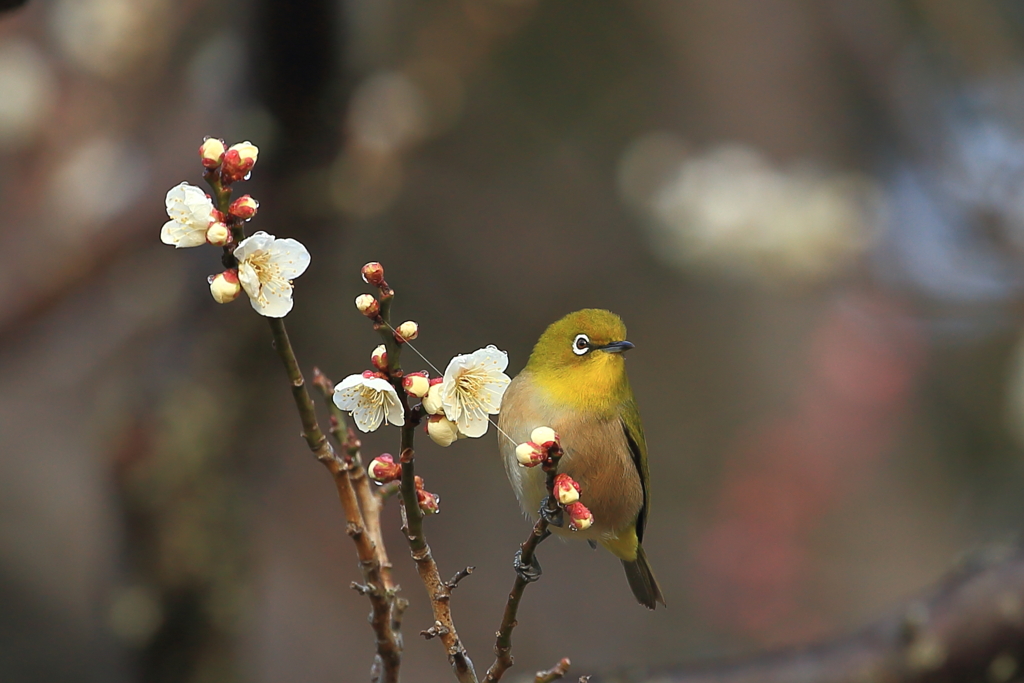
{"x":473,"y":390}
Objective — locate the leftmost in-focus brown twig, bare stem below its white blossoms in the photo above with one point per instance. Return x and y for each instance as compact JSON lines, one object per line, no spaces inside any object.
{"x":382,"y":620}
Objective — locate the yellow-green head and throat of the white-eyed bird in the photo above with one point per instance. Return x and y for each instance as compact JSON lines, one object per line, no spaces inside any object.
{"x":579,"y":361}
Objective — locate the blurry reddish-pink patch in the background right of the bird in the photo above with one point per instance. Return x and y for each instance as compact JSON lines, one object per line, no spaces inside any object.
{"x":786,"y":475}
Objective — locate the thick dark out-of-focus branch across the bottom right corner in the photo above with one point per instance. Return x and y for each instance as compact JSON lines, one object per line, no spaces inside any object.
{"x":971,"y":628}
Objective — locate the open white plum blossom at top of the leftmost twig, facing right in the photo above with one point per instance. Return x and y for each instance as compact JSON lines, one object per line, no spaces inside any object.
{"x":267,"y":267}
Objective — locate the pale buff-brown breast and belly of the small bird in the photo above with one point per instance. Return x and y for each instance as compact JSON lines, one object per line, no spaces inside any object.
{"x":598,"y":456}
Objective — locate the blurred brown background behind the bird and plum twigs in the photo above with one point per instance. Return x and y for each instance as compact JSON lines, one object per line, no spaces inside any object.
{"x":810,"y":216}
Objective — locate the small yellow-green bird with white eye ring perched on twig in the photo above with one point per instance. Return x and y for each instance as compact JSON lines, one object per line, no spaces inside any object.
{"x":575,"y":382}
